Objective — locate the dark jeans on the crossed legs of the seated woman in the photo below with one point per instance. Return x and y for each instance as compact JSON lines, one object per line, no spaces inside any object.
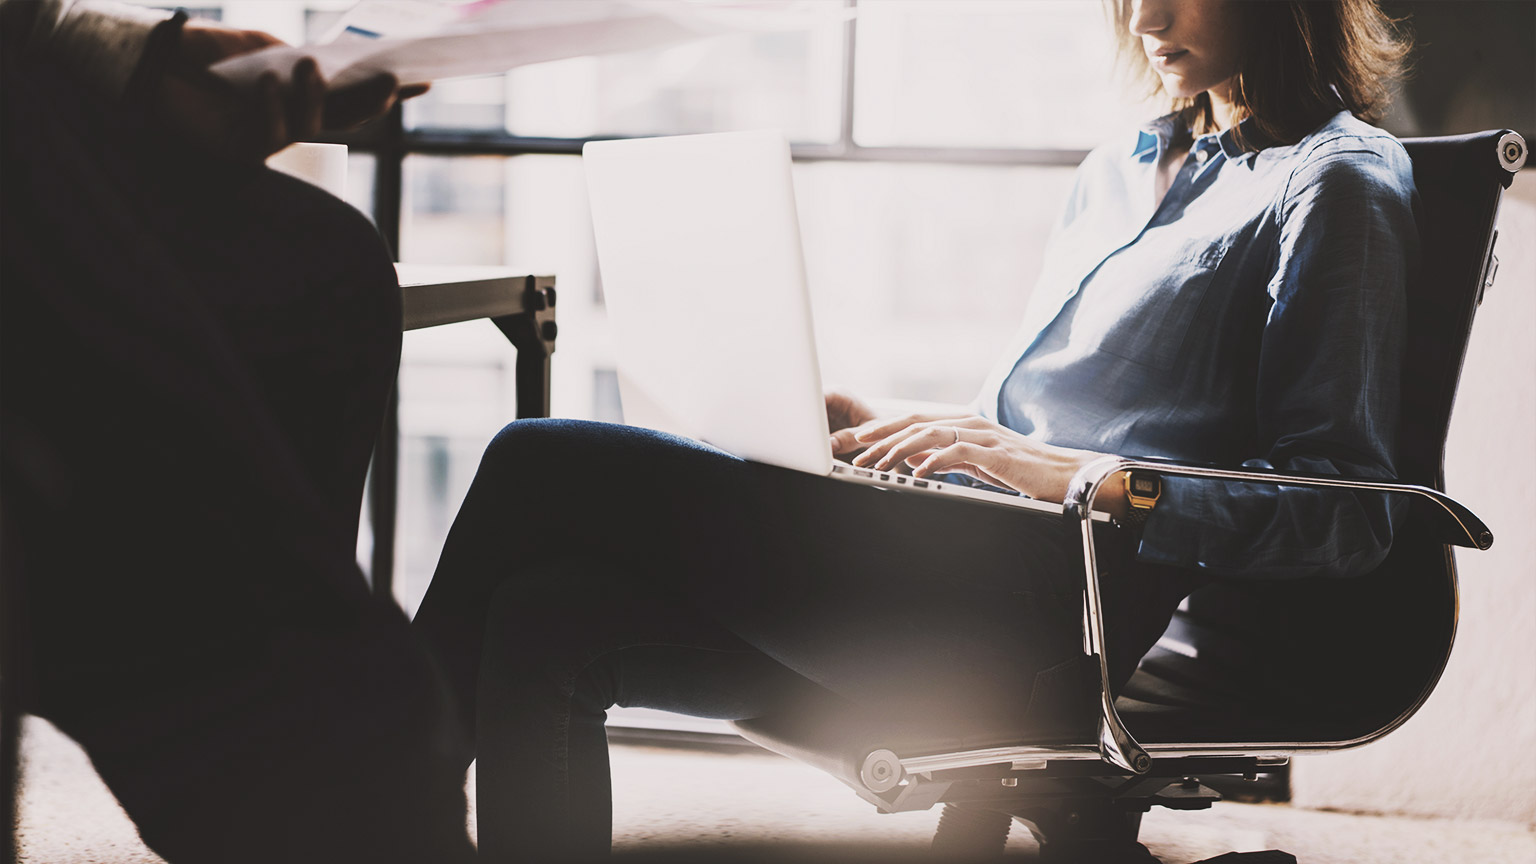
{"x":603,"y":565}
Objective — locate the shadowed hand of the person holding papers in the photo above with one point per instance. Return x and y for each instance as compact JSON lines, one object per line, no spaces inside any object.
{"x":253,"y":127}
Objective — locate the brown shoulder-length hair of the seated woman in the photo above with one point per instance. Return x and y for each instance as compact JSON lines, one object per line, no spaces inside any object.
{"x":1303,"y":61}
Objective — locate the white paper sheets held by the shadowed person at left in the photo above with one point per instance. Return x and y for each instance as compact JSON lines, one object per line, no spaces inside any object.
{"x":494,"y":36}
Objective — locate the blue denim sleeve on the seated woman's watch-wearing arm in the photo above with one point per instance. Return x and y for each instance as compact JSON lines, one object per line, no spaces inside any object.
{"x":1329,"y":384}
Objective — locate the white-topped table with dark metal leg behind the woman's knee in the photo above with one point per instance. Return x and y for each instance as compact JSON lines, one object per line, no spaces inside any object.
{"x":523,"y":310}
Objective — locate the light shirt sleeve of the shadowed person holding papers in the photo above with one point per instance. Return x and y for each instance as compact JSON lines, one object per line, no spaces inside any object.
{"x":102,"y":42}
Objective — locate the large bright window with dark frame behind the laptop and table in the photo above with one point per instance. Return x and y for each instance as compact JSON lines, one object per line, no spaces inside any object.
{"x":927,"y":193}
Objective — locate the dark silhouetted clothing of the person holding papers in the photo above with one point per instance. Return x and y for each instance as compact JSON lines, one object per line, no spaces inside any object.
{"x":196,"y":361}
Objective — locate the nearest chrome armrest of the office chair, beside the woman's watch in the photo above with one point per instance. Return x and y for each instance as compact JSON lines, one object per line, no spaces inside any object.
{"x":1454,"y":523}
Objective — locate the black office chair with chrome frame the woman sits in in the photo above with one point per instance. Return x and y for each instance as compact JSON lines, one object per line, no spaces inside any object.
{"x":1225,"y":693}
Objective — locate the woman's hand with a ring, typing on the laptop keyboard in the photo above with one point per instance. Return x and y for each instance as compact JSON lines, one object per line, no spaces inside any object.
{"x":978,"y":447}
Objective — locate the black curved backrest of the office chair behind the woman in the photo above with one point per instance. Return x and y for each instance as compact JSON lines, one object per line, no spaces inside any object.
{"x":1342,"y":660}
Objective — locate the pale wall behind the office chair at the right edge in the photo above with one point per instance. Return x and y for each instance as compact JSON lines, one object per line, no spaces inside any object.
{"x":1469,"y":749}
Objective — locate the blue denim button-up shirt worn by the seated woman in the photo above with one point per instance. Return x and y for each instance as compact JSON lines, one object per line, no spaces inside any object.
{"x":1256,"y":317}
